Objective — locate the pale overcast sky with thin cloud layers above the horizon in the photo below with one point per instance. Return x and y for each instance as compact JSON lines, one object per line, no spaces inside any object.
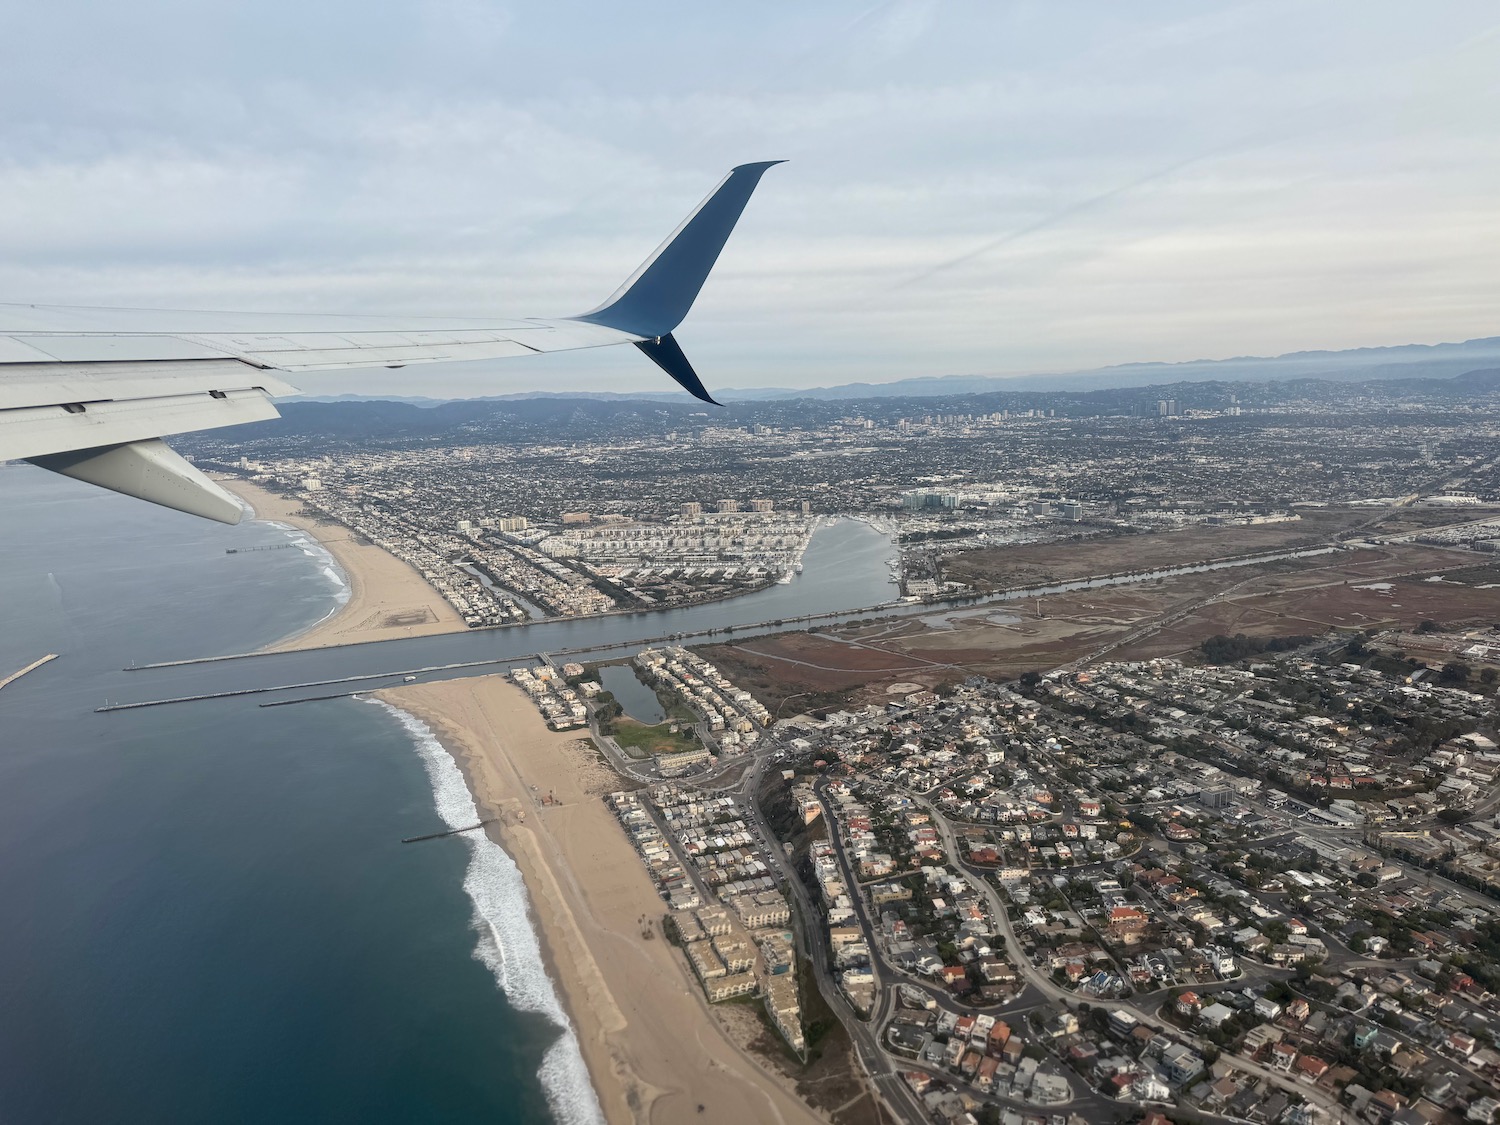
{"x":982,"y":187}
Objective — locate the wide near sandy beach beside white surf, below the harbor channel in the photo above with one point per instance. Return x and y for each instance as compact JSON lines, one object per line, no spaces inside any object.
{"x":653,"y":1048}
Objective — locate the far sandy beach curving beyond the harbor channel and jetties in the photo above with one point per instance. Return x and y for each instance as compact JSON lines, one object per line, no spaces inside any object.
{"x":388,"y":599}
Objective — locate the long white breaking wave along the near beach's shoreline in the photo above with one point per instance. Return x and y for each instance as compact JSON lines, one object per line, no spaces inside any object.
{"x":508,"y":944}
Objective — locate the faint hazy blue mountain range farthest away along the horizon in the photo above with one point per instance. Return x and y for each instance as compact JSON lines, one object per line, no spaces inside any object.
{"x":1355,"y":365}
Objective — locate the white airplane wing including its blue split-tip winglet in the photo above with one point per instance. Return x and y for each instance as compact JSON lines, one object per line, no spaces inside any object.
{"x":95,"y":404}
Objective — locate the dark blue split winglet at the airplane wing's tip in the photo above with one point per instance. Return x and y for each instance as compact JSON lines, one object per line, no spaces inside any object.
{"x":659,"y":295}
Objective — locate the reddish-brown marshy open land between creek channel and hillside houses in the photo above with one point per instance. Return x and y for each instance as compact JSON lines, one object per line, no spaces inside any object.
{"x":1355,"y":590}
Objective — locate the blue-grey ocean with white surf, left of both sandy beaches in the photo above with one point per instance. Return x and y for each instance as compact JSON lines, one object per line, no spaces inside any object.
{"x":209,"y":914}
